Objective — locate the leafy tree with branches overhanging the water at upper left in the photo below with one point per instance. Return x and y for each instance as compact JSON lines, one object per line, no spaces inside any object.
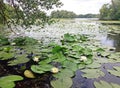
{"x":27,"y":12}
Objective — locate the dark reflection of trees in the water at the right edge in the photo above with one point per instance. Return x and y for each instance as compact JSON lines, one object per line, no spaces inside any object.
{"x":116,"y":40}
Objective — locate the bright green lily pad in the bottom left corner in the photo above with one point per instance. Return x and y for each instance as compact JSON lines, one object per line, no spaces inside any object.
{"x":8,"y":81}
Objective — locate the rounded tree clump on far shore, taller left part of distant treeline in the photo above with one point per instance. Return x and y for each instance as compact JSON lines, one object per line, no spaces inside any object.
{"x":63,"y":14}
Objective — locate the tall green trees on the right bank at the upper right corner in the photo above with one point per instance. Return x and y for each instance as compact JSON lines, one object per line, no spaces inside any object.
{"x":110,"y":11}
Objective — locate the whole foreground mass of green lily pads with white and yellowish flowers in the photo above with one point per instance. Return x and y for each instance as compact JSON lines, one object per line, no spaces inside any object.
{"x":76,"y":52}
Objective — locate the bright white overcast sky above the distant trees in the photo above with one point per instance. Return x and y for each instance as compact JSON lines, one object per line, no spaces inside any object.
{"x":83,"y":6}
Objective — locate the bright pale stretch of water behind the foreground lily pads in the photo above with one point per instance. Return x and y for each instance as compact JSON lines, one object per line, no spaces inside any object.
{"x":105,"y":33}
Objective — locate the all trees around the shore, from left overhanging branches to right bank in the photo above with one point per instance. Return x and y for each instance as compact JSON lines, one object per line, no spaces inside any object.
{"x":29,"y":12}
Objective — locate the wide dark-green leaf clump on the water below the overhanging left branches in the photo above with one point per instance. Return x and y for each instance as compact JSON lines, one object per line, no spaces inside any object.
{"x":20,"y":41}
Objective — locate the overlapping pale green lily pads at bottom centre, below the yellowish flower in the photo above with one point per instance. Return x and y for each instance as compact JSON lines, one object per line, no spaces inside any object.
{"x":64,"y":79}
